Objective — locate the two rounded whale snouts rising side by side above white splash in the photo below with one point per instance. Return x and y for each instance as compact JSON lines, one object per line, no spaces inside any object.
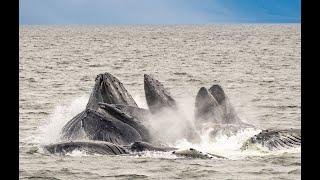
{"x":214,"y":110}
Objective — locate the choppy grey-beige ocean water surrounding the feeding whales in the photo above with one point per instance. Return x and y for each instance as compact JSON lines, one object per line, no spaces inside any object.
{"x":258,"y":65}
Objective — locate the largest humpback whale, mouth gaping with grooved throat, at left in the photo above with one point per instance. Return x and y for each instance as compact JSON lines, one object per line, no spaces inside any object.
{"x":105,"y":122}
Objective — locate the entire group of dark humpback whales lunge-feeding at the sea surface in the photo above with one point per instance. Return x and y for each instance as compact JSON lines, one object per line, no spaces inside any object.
{"x":112,"y":122}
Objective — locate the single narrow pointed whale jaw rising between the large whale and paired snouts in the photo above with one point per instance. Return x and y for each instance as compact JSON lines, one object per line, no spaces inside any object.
{"x":157,"y":96}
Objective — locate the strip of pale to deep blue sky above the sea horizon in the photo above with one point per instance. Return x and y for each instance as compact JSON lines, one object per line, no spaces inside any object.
{"x":158,"y":11}
